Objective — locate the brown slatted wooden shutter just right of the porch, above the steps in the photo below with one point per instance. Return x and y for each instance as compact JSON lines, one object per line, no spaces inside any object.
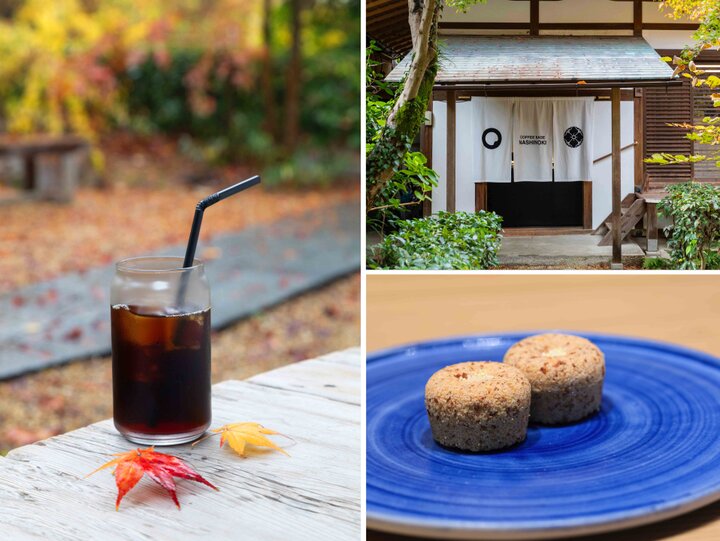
{"x":662,"y":106}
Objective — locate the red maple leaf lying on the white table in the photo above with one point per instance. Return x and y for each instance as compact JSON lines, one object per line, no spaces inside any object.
{"x":131,"y":466}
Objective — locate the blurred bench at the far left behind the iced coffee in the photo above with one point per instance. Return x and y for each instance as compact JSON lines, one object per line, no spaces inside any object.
{"x":52,"y":164}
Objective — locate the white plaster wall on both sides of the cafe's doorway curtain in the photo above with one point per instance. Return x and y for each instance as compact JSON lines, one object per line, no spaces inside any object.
{"x":464,"y":182}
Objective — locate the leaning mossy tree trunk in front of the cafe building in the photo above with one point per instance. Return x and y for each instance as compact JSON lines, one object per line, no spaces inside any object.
{"x":408,"y":113}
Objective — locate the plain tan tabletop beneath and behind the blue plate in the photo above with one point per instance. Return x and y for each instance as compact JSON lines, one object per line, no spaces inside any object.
{"x":680,"y":308}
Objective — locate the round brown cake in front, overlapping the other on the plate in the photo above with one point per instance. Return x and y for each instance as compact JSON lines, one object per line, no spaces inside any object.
{"x":478,"y":406}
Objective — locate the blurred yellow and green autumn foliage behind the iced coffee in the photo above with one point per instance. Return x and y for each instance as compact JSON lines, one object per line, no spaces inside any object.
{"x":259,"y":81}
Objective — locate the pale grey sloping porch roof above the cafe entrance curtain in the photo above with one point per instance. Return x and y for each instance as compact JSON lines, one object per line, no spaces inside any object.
{"x":543,"y":59}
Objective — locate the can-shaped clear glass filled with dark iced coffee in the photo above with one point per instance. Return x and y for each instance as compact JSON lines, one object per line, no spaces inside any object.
{"x":160,"y":314}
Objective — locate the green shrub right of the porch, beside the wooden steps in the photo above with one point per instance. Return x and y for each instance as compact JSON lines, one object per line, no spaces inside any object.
{"x":694,"y":233}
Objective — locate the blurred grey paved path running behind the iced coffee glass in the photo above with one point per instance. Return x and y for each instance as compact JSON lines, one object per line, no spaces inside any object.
{"x":67,"y":318}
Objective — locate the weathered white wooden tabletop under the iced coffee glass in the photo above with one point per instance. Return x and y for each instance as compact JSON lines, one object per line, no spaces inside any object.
{"x":314,"y":494}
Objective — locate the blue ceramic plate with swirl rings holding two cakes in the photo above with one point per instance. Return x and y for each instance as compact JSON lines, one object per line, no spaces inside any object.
{"x":652,"y":452}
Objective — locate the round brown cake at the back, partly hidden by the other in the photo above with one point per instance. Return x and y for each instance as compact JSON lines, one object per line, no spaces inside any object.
{"x":566,"y":373}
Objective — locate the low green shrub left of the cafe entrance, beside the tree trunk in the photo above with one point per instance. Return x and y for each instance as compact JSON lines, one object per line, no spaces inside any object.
{"x":446,"y":241}
